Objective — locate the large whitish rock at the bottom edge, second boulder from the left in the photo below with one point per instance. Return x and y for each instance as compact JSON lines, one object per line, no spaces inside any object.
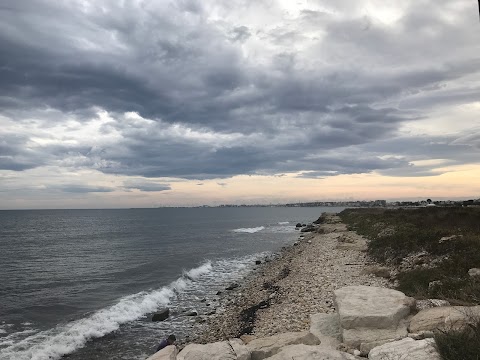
{"x":222,"y":350}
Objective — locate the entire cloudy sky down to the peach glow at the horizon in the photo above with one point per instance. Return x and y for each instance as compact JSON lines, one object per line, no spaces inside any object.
{"x":115,"y":103}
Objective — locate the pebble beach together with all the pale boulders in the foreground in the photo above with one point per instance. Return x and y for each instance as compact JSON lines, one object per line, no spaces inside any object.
{"x":320,"y":299}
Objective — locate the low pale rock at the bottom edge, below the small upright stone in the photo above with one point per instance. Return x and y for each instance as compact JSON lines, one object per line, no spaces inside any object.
{"x":308,"y":352}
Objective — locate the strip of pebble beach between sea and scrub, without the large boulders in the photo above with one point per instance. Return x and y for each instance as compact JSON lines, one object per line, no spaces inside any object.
{"x":283,"y":292}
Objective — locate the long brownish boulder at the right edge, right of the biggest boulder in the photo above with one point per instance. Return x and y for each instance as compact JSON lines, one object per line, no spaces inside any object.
{"x":443,"y":318}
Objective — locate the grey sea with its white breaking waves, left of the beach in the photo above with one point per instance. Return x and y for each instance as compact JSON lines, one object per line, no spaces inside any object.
{"x":86,"y":282}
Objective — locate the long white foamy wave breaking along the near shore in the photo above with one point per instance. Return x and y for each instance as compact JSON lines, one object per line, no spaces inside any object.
{"x":65,"y":339}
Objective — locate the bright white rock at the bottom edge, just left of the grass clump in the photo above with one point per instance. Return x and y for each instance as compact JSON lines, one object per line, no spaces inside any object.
{"x":406,"y":349}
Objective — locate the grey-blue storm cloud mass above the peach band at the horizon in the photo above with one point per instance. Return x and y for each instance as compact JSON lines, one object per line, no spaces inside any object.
{"x":310,"y":109}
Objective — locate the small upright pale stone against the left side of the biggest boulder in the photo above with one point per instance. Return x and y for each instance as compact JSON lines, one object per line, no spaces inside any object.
{"x":326,"y":327}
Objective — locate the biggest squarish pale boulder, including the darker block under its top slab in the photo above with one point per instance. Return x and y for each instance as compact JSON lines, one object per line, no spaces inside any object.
{"x":369,"y":314}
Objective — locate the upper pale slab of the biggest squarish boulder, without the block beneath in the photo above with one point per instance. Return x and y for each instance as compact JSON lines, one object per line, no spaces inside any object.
{"x":371,"y":307}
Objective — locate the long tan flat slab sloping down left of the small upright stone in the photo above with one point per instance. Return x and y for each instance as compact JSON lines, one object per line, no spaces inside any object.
{"x":265,"y":347}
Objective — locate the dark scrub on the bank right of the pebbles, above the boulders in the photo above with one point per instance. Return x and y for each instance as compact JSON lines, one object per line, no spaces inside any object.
{"x":421,"y":230}
